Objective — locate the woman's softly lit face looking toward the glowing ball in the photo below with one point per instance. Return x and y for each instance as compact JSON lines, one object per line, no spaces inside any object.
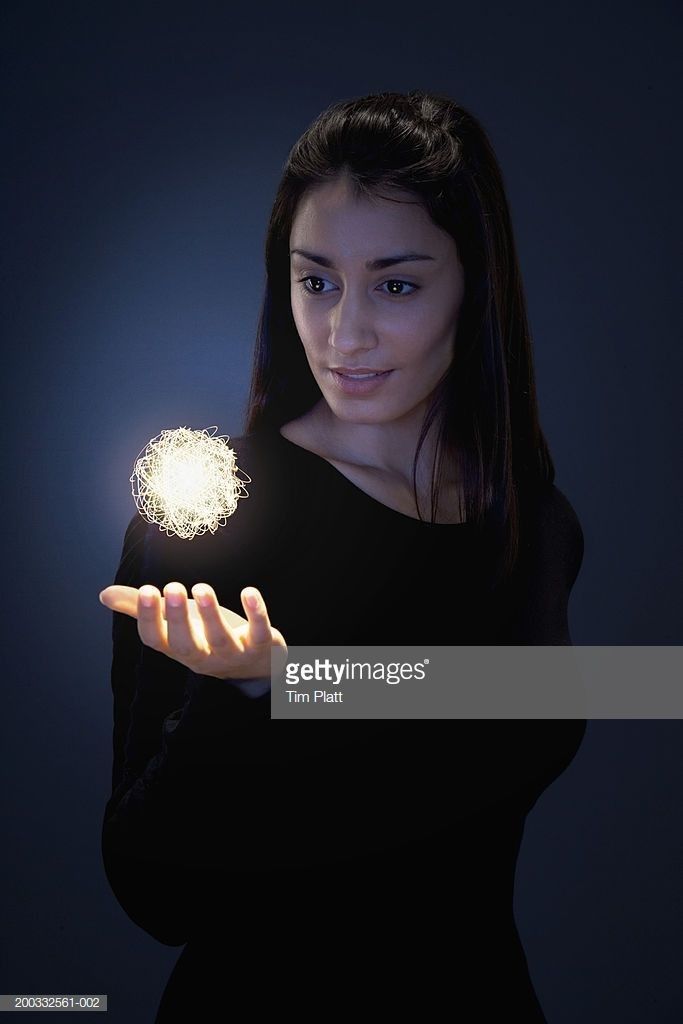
{"x":378,"y":327}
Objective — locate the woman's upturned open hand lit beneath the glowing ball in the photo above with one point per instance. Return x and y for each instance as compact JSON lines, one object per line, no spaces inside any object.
{"x":200,"y":634}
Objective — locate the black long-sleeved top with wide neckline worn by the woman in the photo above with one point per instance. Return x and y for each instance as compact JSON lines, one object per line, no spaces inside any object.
{"x":223,"y":826}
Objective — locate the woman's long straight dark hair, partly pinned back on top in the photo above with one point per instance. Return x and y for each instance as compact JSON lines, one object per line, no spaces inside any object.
{"x":485,"y":411}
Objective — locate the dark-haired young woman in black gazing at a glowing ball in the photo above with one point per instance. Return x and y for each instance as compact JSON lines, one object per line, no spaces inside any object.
{"x":403,"y":493}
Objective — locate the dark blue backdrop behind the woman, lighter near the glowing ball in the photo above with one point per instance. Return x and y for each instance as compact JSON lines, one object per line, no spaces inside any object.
{"x":145,"y":146}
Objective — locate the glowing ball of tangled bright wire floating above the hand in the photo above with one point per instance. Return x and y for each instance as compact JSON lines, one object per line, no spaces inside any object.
{"x":188,"y":482}
